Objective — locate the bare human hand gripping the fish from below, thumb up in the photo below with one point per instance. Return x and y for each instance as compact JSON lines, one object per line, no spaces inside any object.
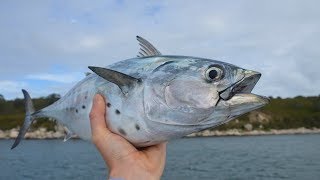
{"x":123,"y":159}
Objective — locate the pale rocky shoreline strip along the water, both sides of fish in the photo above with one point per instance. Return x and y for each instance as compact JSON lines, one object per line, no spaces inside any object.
{"x":42,"y":133}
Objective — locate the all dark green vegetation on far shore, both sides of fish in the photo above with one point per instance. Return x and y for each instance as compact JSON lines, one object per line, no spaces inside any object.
{"x":280,"y":113}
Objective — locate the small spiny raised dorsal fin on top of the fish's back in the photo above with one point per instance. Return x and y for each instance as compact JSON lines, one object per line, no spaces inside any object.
{"x":146,"y":48}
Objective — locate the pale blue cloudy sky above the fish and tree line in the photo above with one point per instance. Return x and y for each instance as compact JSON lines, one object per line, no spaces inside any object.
{"x":46,"y":46}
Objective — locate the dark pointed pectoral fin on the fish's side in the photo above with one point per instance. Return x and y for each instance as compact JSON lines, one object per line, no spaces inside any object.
{"x":125,"y":82}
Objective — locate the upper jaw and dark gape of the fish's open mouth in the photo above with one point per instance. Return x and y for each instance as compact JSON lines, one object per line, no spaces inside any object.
{"x":242,"y":86}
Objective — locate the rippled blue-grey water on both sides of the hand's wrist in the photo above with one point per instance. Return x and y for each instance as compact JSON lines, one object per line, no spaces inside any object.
{"x":250,"y":157}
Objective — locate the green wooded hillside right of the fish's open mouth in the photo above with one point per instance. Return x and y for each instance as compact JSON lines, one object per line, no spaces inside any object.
{"x":289,"y":113}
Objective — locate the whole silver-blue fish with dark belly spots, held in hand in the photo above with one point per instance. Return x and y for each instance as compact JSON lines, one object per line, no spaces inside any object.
{"x":154,"y":98}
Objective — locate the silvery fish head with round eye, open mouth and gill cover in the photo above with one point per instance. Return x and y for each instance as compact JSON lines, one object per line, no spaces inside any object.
{"x":196,"y":91}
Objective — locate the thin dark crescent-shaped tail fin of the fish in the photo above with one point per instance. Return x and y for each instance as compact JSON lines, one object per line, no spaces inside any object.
{"x":27,"y":120}
